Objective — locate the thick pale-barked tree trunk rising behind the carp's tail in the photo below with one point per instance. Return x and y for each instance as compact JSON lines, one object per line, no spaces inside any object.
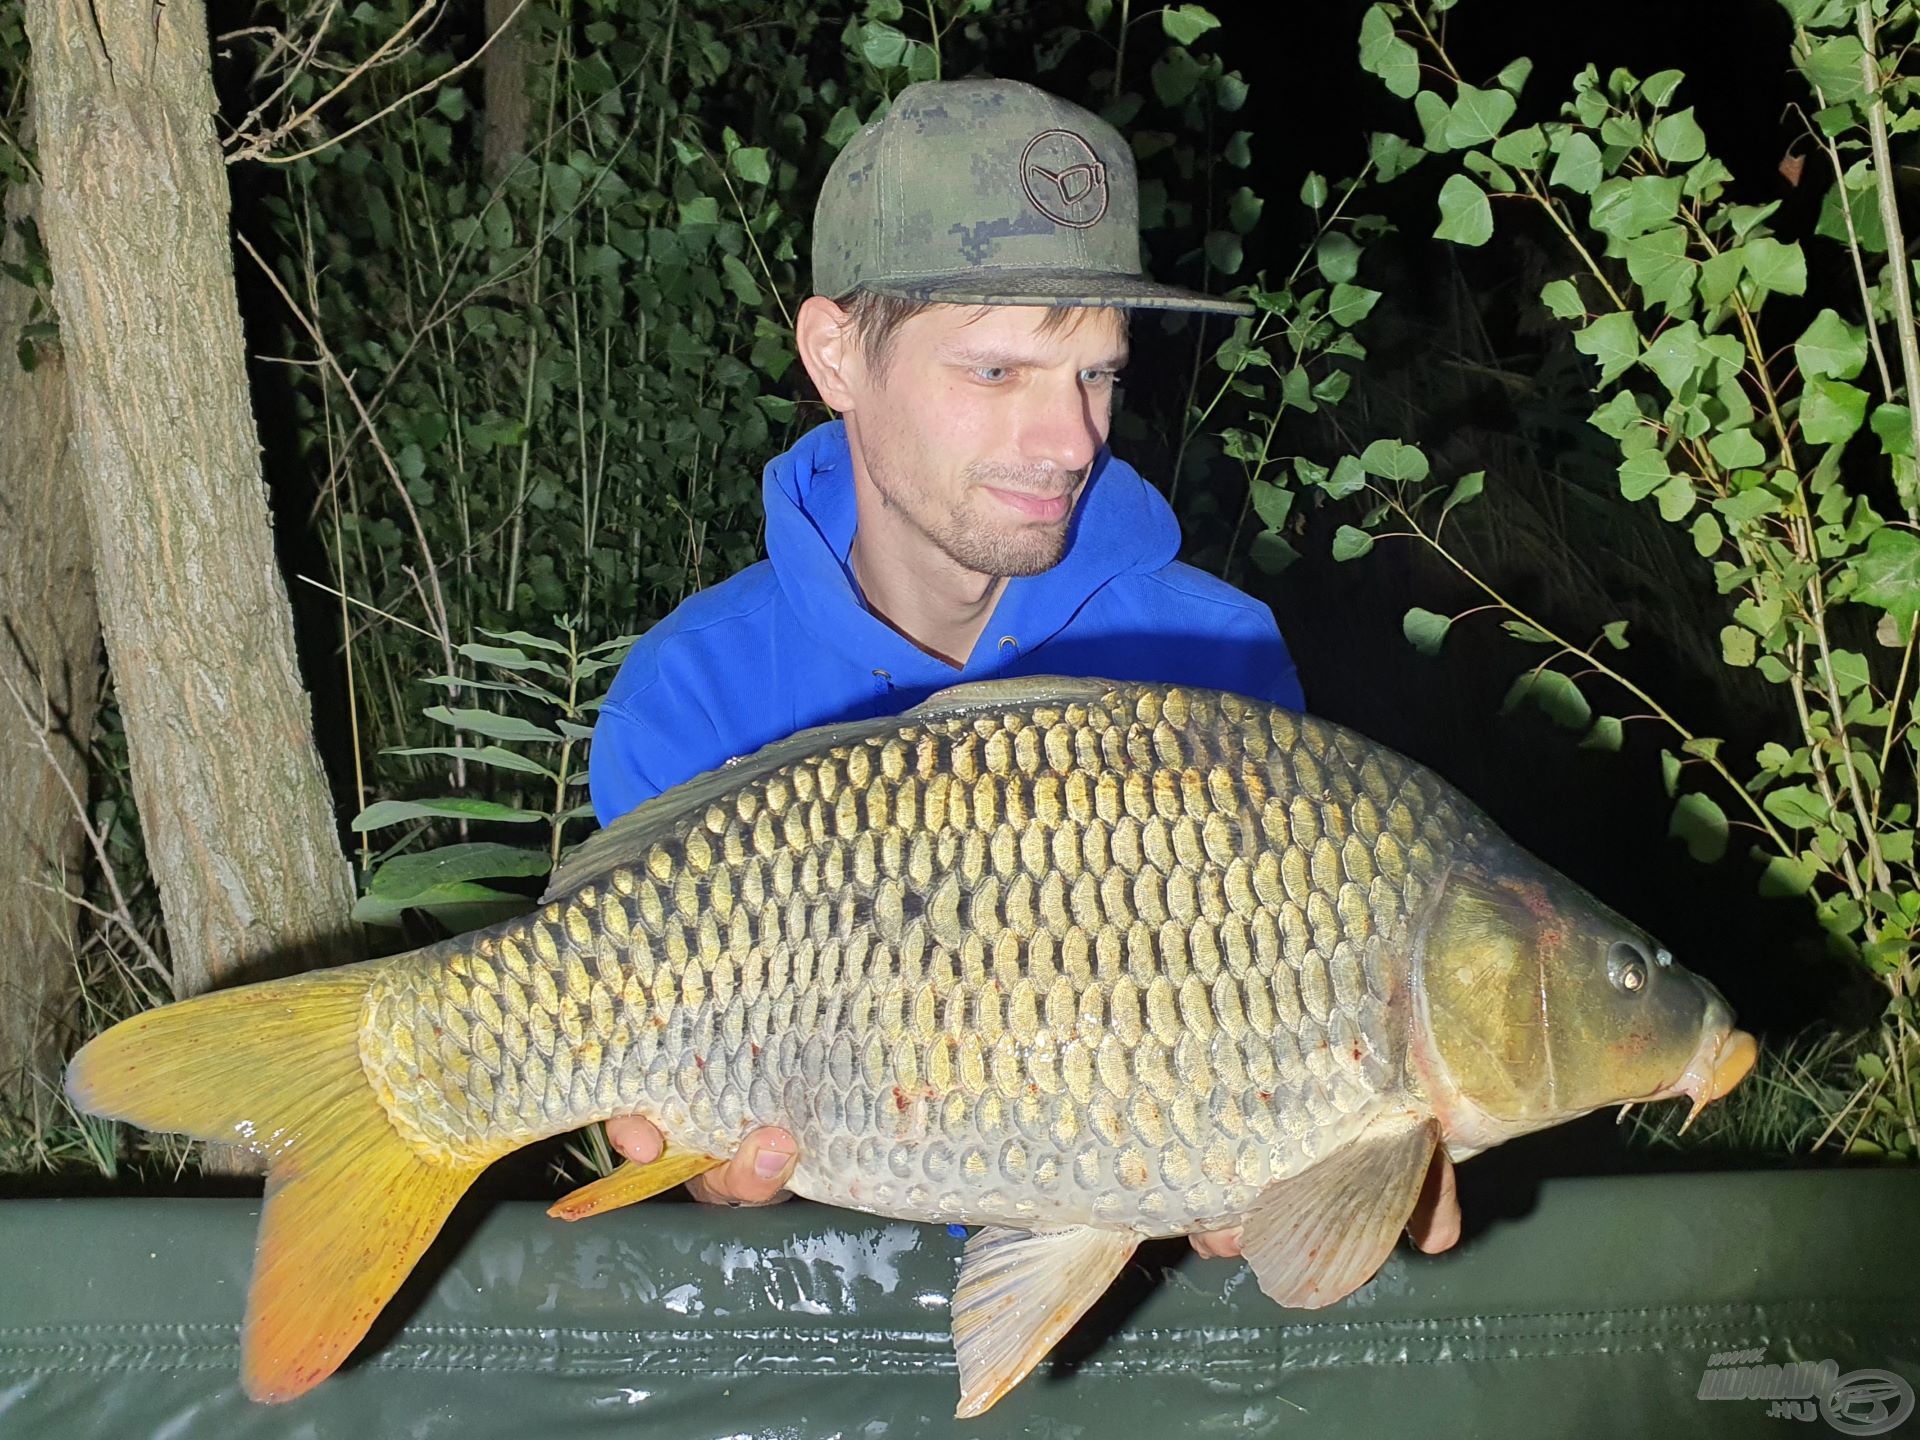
{"x":135,"y":212}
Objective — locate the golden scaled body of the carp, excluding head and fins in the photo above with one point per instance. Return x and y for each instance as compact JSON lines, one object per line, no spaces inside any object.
{"x":1124,"y":961}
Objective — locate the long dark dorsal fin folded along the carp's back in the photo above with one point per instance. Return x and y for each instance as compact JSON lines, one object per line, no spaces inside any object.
{"x":627,"y":840}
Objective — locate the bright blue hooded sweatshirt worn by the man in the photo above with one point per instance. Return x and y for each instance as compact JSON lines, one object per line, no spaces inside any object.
{"x":788,"y":642}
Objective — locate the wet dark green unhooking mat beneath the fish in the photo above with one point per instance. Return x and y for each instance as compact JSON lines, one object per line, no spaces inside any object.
{"x":1593,"y":1314}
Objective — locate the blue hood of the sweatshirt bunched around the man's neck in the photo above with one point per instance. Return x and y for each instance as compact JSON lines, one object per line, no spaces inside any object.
{"x":1120,"y":525}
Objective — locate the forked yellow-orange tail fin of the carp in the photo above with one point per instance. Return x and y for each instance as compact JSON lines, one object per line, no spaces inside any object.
{"x":350,"y":1205}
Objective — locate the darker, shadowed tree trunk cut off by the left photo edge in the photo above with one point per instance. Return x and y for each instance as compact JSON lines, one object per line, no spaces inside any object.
{"x":51,"y":658}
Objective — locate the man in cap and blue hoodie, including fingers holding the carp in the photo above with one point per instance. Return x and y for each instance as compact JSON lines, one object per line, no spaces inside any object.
{"x":963,"y":517}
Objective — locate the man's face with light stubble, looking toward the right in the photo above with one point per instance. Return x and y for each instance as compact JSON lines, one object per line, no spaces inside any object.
{"x":982,"y":429}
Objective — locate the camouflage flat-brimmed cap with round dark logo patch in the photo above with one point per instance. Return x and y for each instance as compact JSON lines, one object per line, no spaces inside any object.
{"x":990,"y":193}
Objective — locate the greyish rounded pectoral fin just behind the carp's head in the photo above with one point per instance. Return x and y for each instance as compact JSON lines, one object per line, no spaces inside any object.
{"x":1320,"y":1236}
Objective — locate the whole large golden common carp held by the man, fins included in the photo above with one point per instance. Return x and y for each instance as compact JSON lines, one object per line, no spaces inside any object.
{"x":1072,"y":961}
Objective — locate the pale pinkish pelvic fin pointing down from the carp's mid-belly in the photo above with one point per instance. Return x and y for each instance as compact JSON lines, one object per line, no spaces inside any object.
{"x":1019,"y":1295}
